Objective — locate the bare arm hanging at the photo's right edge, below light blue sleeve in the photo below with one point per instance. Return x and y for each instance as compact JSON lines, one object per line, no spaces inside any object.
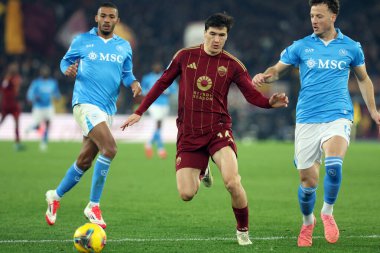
{"x":367,"y":91}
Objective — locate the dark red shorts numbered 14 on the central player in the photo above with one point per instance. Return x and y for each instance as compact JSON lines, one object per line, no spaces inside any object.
{"x":194,"y":150}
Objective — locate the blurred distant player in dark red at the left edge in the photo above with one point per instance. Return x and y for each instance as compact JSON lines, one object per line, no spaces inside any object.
{"x":9,"y":89}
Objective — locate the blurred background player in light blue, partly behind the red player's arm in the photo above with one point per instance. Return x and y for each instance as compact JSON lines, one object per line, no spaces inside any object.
{"x":158,"y":110}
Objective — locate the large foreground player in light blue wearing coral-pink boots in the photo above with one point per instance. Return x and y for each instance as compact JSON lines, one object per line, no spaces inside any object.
{"x":324,"y":110}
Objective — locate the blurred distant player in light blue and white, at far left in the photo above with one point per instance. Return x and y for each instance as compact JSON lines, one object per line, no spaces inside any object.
{"x":41,"y":93}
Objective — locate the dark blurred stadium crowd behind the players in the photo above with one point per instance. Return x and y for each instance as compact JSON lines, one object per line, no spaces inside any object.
{"x":39,"y":32}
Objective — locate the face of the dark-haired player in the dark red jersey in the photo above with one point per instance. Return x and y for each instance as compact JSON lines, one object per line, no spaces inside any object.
{"x":214,"y":40}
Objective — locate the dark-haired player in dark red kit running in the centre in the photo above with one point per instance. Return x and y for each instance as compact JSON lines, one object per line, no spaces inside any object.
{"x":204,"y":124}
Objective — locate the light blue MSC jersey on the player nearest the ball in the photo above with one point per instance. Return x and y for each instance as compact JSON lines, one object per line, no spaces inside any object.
{"x":103,"y":64}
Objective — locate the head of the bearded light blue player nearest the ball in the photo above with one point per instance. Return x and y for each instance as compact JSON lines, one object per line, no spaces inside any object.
{"x":107,"y":18}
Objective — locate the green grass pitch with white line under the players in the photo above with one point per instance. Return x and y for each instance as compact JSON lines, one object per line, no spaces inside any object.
{"x":143,"y":212}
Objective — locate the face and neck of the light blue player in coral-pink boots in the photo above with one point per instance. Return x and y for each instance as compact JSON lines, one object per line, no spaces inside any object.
{"x":322,"y":20}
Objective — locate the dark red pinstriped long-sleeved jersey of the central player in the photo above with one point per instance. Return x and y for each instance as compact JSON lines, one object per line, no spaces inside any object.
{"x":203,"y":89}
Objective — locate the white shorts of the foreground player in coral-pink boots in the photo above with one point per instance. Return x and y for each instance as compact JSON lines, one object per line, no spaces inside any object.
{"x":310,"y":137}
